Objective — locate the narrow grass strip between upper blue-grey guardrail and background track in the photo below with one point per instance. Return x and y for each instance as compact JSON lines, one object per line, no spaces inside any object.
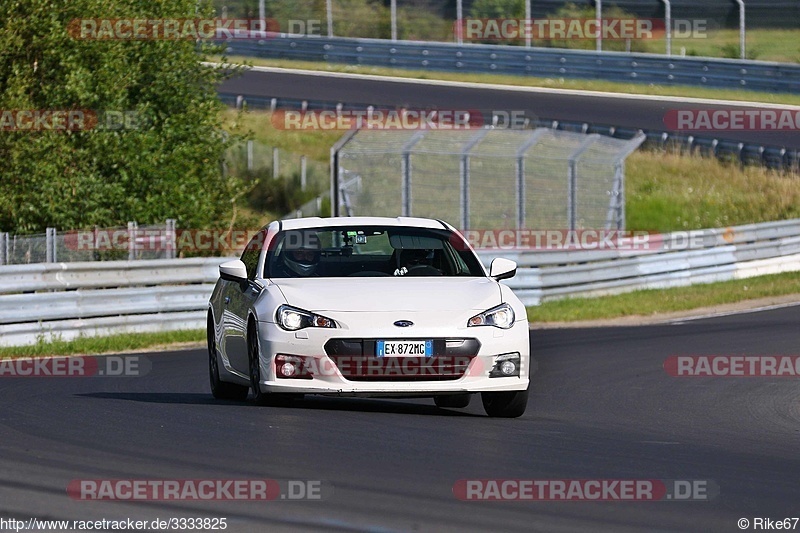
{"x":525,"y":81}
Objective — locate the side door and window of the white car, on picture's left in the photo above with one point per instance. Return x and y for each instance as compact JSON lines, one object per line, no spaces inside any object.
{"x":238,"y":298}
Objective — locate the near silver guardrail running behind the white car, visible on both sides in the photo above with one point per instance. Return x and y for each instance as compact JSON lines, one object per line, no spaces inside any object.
{"x":66,"y":300}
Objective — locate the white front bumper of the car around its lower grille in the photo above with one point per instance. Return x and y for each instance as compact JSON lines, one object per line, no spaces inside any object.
{"x":457,"y":371}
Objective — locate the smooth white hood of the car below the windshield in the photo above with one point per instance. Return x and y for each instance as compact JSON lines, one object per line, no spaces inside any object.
{"x":390,"y":294}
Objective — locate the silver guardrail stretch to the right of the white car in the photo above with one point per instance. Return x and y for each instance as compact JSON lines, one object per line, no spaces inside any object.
{"x":715,"y":255}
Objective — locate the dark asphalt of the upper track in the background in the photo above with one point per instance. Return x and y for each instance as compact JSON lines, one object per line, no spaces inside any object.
{"x":618,"y":111}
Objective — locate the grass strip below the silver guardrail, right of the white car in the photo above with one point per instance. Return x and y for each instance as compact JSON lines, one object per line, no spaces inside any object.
{"x":654,"y":302}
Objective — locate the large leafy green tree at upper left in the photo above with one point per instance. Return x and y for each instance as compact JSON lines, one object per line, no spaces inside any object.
{"x":167,"y":164}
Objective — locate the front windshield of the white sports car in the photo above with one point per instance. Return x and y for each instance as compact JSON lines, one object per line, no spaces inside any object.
{"x":369,"y":251}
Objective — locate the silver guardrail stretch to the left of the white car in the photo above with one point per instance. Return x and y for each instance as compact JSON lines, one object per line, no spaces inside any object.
{"x":65,"y":300}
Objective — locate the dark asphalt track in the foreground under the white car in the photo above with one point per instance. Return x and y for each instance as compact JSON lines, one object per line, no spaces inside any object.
{"x":601,"y":407}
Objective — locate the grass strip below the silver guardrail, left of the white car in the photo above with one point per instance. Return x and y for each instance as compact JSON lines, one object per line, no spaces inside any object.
{"x":100,"y":345}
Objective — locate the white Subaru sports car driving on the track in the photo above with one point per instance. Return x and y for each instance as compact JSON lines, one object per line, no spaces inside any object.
{"x":367,"y":306}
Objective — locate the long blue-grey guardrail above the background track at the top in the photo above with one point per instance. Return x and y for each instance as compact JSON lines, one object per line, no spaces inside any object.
{"x":540,"y":62}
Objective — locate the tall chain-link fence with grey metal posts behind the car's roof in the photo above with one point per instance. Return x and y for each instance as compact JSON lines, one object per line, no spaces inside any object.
{"x":487,"y":178}
